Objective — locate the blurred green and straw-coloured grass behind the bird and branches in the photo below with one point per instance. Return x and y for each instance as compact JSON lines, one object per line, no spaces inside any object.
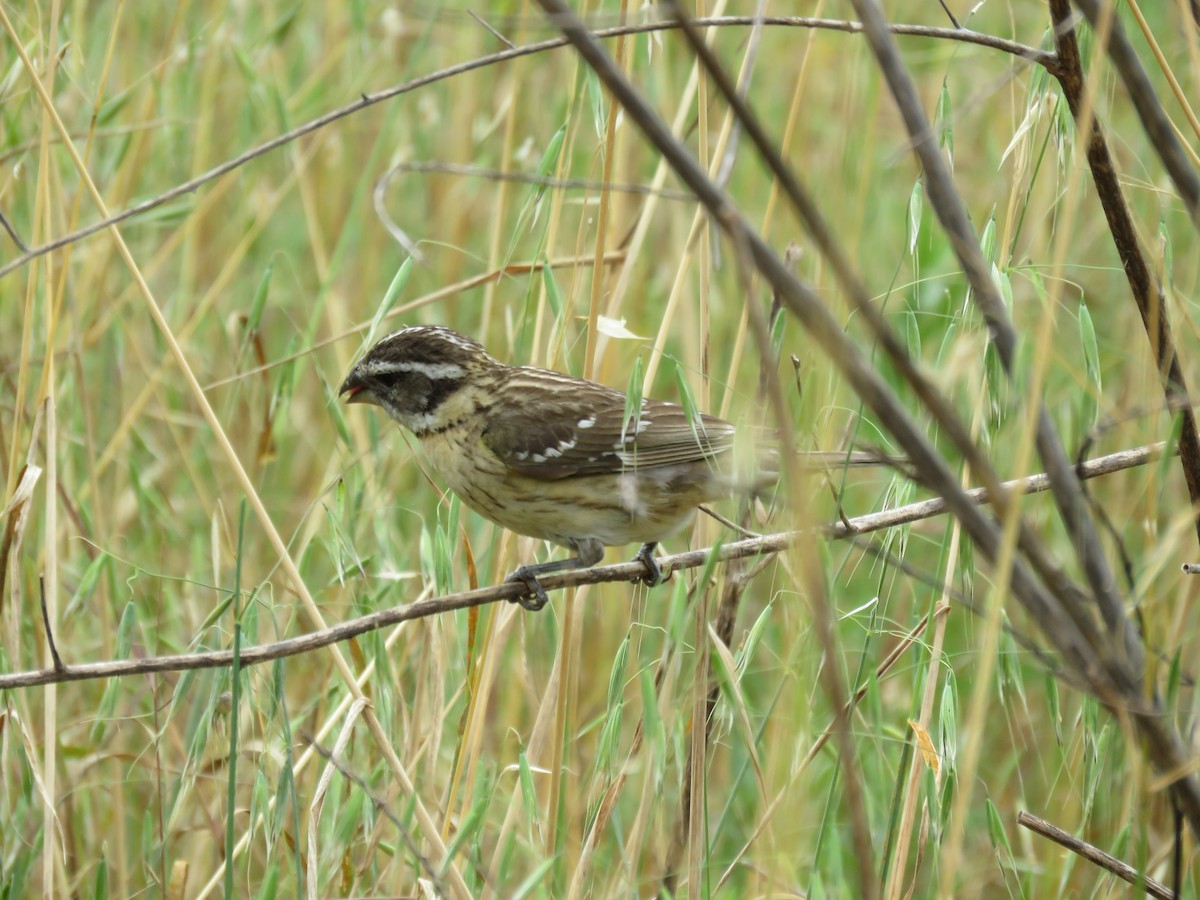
{"x":563,"y":753}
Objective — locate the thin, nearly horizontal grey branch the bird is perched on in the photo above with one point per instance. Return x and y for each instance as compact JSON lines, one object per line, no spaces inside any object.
{"x":597,"y":575}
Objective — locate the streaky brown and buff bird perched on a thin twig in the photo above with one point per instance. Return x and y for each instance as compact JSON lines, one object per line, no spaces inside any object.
{"x":547,"y":454}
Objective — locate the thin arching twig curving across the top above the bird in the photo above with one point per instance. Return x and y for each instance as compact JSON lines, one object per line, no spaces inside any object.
{"x":368,"y":100}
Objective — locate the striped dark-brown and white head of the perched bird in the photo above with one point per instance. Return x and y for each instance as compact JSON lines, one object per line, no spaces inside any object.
{"x":418,"y":375}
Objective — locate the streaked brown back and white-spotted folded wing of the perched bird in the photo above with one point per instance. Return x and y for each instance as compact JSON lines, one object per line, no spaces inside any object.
{"x":567,"y":427}
